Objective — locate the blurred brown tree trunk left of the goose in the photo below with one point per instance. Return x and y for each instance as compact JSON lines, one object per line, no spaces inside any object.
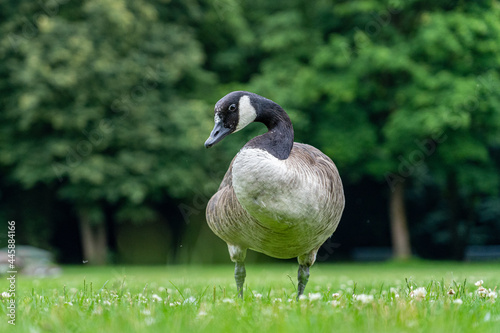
{"x":94,"y":240}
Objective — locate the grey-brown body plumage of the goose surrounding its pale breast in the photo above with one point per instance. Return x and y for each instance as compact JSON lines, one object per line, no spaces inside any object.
{"x":286,"y":237}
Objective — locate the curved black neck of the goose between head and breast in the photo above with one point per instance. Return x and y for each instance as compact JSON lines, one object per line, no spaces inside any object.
{"x":278,"y":141}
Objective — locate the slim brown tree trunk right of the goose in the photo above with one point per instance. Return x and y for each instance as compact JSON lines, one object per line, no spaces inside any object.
{"x":401,"y":248}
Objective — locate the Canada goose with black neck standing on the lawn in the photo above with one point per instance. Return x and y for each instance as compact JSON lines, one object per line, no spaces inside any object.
{"x":280,"y":198}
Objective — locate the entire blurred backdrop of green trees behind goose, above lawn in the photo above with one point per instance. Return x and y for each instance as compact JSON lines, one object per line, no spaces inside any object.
{"x":105,"y":106}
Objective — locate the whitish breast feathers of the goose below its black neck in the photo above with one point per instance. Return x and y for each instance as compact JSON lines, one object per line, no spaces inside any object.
{"x":269,"y":189}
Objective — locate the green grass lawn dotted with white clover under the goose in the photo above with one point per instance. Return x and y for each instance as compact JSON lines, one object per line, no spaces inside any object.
{"x":202,"y":299}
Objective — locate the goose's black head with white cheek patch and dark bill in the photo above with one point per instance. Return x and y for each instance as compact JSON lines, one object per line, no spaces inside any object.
{"x":232,"y":113}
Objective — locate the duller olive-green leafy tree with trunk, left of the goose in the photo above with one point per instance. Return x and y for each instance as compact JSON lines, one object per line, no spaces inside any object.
{"x":97,"y":100}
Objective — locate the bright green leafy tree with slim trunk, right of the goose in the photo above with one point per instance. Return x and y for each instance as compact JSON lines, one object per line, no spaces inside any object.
{"x":379,"y":85}
